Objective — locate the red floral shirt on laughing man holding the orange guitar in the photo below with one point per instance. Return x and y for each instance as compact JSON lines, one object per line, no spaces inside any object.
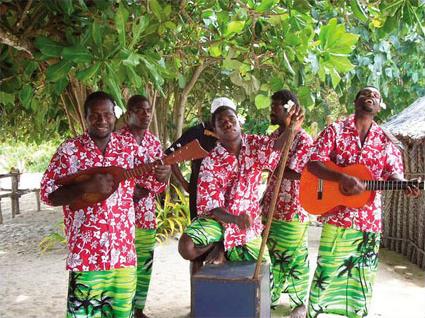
{"x":340,"y":143}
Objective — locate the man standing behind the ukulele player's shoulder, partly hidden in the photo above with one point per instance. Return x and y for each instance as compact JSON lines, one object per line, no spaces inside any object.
{"x":139,"y":116}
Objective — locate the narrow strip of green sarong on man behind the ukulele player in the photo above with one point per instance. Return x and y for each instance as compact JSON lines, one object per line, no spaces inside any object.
{"x":145,"y":244}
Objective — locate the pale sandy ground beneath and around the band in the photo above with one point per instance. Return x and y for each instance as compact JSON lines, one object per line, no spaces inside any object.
{"x":34,"y":284}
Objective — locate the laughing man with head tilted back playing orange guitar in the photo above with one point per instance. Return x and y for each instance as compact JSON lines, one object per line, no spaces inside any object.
{"x":348,"y":254}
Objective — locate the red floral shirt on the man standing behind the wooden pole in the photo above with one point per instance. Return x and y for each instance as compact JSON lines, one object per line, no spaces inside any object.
{"x":288,"y":202}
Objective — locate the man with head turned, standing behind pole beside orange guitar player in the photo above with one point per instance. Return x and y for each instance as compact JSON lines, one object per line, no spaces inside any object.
{"x":287,"y":241}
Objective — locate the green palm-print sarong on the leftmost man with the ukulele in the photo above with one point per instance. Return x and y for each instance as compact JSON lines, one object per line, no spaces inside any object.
{"x":101,"y":293}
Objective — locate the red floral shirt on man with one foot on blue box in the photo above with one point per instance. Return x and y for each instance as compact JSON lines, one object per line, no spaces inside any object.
{"x":232,"y":183}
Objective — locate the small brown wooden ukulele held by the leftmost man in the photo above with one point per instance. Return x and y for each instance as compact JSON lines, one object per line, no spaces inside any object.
{"x":190,"y":151}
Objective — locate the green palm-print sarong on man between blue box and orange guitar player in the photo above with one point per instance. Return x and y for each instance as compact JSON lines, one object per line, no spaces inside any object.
{"x":288,"y":249}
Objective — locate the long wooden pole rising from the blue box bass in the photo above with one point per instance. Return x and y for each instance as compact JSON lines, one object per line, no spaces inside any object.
{"x":279,"y":177}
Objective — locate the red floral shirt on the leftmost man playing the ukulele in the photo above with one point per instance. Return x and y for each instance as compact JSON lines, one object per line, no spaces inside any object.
{"x":99,"y":237}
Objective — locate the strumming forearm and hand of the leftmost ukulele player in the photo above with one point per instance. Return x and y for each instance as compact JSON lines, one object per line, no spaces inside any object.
{"x":65,"y":195}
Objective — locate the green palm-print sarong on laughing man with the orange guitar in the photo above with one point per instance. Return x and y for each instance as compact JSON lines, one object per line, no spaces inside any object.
{"x":346,"y":269}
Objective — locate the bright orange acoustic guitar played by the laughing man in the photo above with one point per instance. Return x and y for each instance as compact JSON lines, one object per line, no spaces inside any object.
{"x":318,"y":196}
